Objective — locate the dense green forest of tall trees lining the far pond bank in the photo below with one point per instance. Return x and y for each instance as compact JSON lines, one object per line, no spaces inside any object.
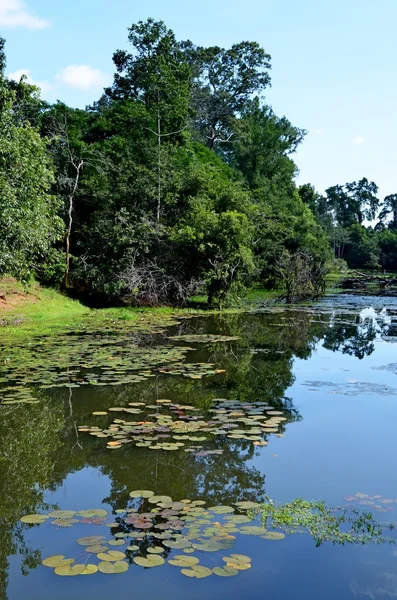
{"x":179,"y":180}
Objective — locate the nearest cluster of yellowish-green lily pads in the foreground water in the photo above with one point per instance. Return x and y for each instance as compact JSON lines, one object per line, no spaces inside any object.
{"x":147,"y":532}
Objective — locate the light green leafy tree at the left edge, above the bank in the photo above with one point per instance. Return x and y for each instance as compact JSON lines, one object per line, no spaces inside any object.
{"x":28,"y":212}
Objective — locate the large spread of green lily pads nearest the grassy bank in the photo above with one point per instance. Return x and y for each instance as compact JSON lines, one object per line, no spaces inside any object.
{"x":111,"y":357}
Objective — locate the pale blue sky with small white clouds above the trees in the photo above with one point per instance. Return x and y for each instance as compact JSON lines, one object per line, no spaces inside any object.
{"x":334,"y":65}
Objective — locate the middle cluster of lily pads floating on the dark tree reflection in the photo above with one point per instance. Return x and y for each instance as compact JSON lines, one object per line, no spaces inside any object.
{"x":173,"y":426}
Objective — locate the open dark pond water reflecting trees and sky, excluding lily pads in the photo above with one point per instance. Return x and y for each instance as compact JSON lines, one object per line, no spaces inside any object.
{"x":332,"y":369}
